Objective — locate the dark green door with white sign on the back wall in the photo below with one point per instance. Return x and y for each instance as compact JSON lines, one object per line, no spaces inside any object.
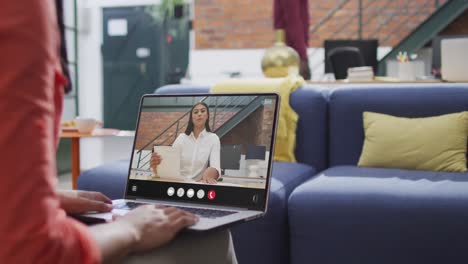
{"x":131,"y":43}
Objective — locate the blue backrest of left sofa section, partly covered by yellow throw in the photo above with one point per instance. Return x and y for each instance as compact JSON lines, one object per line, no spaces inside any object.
{"x":309,"y":104}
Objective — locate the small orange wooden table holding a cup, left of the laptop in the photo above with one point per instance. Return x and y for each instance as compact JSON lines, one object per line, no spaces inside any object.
{"x":75,"y":136}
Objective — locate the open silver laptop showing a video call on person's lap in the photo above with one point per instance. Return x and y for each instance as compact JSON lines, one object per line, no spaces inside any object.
{"x":234,"y":119}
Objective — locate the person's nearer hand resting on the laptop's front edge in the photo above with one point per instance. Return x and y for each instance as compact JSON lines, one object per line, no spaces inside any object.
{"x":154,"y":226}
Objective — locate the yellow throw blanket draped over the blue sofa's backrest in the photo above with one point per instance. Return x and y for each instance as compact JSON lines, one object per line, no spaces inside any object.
{"x":287,"y":123}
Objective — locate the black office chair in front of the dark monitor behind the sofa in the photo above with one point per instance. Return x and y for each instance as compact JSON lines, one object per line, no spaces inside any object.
{"x":342,"y":58}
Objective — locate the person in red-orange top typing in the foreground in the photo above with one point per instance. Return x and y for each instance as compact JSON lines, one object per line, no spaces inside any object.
{"x":34,"y":226}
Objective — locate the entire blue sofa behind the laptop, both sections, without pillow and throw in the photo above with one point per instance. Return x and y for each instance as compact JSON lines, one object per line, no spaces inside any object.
{"x":325,"y":209}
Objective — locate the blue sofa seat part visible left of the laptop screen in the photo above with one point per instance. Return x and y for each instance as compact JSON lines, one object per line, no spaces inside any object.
{"x":109,"y":178}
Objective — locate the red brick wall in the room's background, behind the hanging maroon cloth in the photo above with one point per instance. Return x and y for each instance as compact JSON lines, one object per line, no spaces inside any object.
{"x":247,"y":24}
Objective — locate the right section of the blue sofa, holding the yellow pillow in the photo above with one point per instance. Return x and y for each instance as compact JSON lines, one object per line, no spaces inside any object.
{"x":350,"y":214}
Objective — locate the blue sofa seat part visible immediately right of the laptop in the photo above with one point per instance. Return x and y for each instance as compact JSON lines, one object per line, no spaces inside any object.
{"x":266,"y":240}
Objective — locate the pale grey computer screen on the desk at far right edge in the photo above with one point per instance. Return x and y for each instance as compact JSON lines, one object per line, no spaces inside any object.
{"x":454,"y":59}
